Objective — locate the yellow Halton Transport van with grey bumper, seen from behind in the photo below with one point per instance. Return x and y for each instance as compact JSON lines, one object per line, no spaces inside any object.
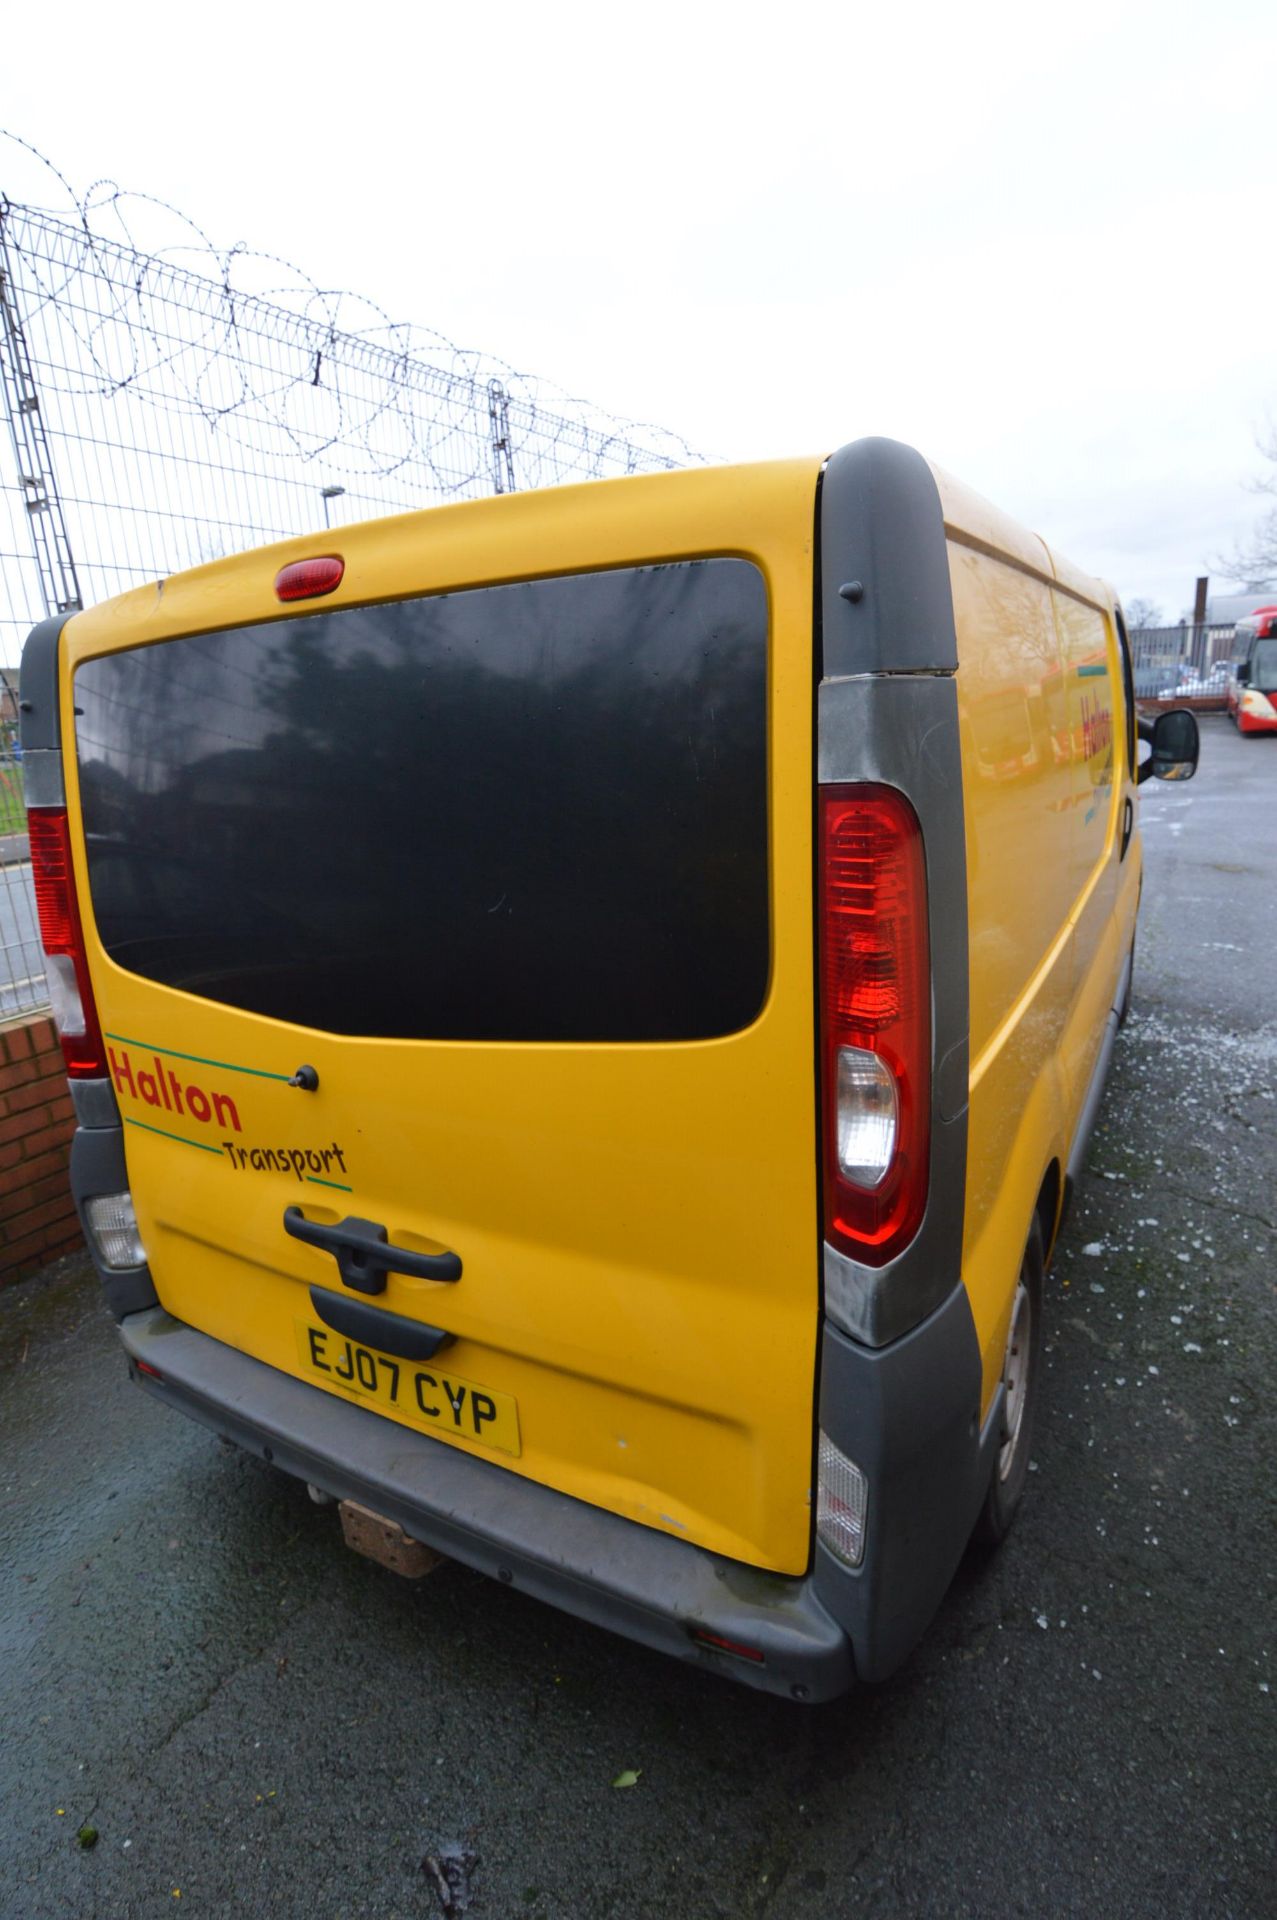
{"x":583,"y":1011}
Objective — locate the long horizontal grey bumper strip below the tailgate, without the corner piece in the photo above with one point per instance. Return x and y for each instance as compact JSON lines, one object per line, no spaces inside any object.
{"x":592,"y":1564}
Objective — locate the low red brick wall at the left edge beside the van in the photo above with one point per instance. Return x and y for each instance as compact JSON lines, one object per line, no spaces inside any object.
{"x":37,"y":1120}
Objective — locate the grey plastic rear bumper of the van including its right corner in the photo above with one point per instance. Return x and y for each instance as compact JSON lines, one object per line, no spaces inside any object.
{"x":907,"y":1414}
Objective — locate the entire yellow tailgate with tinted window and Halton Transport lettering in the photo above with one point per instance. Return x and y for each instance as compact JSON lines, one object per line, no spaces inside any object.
{"x":508,"y":840}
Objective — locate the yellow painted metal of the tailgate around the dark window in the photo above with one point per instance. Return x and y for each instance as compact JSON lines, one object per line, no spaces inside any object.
{"x":638,"y":1224}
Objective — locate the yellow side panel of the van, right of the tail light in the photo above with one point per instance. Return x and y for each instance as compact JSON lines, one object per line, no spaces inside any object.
{"x":1046,"y":780}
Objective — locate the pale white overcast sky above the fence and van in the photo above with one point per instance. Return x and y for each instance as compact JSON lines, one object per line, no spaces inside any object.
{"x":1036,"y":243}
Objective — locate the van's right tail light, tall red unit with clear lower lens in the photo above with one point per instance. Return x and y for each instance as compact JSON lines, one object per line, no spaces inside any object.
{"x":875,"y":1020}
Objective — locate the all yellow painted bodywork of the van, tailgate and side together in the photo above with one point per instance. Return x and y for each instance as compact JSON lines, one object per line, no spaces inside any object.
{"x":638,"y":1224}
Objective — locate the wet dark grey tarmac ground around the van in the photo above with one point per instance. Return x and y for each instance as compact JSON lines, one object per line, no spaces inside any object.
{"x":251,"y":1719}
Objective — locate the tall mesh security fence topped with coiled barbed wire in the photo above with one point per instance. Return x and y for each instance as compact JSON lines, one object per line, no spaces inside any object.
{"x":170,"y":402}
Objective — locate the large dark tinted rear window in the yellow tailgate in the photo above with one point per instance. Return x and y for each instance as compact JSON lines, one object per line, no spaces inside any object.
{"x":525,"y":813}
